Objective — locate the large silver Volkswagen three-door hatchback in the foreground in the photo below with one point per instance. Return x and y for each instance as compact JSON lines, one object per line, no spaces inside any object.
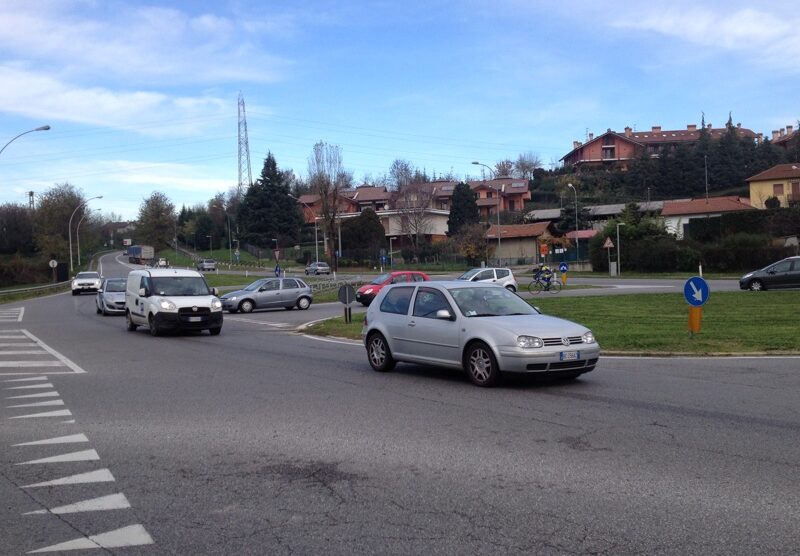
{"x":480,"y":328}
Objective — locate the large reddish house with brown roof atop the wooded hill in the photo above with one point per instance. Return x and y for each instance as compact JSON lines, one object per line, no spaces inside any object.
{"x":620,"y":149}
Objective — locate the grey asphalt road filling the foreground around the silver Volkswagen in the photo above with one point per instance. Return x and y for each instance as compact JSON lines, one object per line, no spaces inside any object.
{"x":265,"y":441}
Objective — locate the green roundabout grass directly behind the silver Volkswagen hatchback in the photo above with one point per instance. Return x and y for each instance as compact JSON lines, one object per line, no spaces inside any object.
{"x":732,"y":323}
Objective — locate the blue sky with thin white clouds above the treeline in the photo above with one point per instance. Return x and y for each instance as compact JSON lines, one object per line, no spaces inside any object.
{"x":142,"y":96}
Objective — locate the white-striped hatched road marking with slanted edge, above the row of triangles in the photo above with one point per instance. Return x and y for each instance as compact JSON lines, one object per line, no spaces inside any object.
{"x":22,"y":353}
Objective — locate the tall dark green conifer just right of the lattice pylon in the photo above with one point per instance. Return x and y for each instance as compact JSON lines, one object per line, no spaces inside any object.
{"x":267,"y":211}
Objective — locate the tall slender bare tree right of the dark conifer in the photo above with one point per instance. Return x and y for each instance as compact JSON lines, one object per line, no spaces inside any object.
{"x":327,"y":178}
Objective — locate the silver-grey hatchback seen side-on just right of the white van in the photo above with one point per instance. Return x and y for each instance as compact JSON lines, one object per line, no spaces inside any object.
{"x":269,"y":293}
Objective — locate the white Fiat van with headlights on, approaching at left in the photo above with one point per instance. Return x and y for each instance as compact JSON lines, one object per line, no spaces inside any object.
{"x":171,"y":299}
